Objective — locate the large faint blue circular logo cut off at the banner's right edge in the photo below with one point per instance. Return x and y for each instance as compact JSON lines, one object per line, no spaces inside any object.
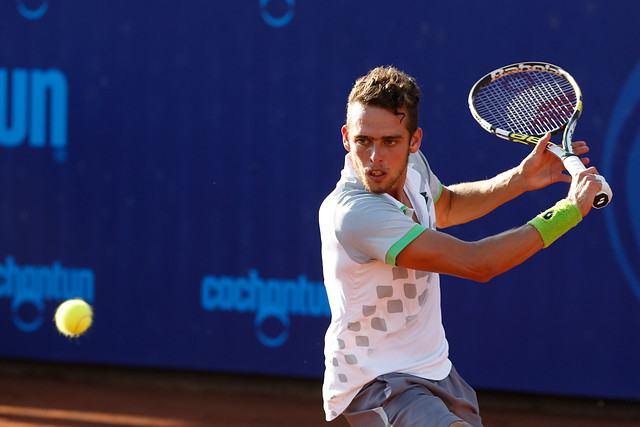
{"x":622,"y":170}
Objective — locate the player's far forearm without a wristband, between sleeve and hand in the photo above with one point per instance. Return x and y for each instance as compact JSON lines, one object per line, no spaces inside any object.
{"x":471,"y":200}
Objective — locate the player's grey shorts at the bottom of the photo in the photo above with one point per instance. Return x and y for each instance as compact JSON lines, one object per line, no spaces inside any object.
{"x":401,"y":400}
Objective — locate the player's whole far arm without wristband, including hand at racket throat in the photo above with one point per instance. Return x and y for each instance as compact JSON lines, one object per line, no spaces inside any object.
{"x":464,"y":202}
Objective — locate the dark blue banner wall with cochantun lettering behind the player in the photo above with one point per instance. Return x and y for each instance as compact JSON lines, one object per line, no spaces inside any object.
{"x":166,"y":161}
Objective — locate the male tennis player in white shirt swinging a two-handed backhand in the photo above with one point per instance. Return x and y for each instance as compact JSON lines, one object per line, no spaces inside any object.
{"x":386,"y":353}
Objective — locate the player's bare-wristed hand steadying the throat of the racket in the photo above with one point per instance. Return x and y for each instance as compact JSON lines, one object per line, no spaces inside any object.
{"x":541,"y":168}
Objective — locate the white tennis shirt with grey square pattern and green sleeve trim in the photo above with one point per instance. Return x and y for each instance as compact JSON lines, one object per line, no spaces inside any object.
{"x":384,"y":318}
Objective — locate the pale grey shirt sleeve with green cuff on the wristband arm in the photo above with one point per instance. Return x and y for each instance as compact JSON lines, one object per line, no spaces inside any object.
{"x":370,"y":227}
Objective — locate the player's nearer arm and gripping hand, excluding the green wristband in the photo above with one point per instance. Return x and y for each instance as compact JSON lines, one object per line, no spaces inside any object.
{"x":486,"y":258}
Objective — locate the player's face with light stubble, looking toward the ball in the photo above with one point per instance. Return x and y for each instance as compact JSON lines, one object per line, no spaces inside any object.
{"x":379,"y":144}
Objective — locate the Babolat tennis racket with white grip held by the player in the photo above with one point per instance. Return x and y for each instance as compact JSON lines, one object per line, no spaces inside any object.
{"x":524,"y":101}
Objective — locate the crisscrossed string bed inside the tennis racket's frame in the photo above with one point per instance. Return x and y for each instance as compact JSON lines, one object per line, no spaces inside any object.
{"x":527,"y":102}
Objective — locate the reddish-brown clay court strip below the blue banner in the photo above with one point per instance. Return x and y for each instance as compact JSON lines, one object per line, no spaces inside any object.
{"x":37,"y":394}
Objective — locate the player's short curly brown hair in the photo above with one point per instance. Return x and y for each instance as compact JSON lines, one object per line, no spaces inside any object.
{"x":391,"y":89}
